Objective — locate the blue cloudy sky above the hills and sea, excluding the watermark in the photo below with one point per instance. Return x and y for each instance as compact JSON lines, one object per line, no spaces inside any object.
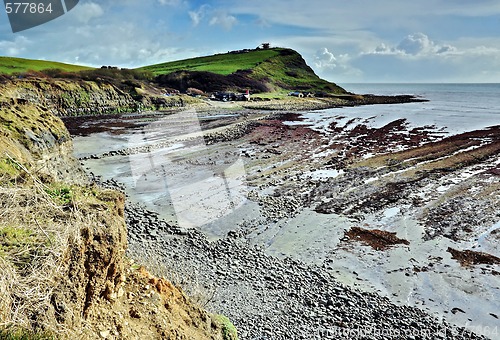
{"x":343,"y":41}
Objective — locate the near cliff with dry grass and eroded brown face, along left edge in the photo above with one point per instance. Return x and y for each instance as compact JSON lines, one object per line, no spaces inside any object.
{"x":63,"y":241}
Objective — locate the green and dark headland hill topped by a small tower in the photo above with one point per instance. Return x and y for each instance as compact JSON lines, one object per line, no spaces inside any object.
{"x":271,"y":70}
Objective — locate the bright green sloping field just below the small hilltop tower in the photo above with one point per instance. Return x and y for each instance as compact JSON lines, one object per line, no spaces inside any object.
{"x":223,"y":64}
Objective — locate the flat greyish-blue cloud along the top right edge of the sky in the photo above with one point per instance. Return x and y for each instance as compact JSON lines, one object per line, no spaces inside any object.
{"x":337,"y":15}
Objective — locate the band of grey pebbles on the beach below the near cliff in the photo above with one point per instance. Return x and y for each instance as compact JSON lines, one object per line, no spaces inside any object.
{"x":271,"y":298}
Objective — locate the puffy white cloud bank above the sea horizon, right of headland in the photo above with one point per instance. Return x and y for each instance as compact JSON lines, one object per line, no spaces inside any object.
{"x":419,"y":58}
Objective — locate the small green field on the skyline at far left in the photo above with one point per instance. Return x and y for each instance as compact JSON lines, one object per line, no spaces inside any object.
{"x":9,"y":65}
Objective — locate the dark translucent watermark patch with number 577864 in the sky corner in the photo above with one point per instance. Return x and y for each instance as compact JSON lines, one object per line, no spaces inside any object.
{"x":25,"y":15}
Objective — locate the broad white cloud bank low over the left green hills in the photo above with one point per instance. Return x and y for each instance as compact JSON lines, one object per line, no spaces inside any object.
{"x":108,"y":41}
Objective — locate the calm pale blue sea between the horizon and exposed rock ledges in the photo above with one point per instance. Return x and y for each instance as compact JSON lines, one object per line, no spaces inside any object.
{"x":453,"y":107}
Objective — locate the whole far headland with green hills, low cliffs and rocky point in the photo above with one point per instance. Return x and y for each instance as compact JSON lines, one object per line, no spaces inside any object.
{"x":70,"y":90}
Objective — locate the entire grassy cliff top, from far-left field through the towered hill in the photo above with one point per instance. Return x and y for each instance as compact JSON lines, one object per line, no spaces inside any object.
{"x":277,"y":70}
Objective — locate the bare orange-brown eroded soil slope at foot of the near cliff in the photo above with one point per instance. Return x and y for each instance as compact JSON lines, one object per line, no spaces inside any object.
{"x":149,"y":307}
